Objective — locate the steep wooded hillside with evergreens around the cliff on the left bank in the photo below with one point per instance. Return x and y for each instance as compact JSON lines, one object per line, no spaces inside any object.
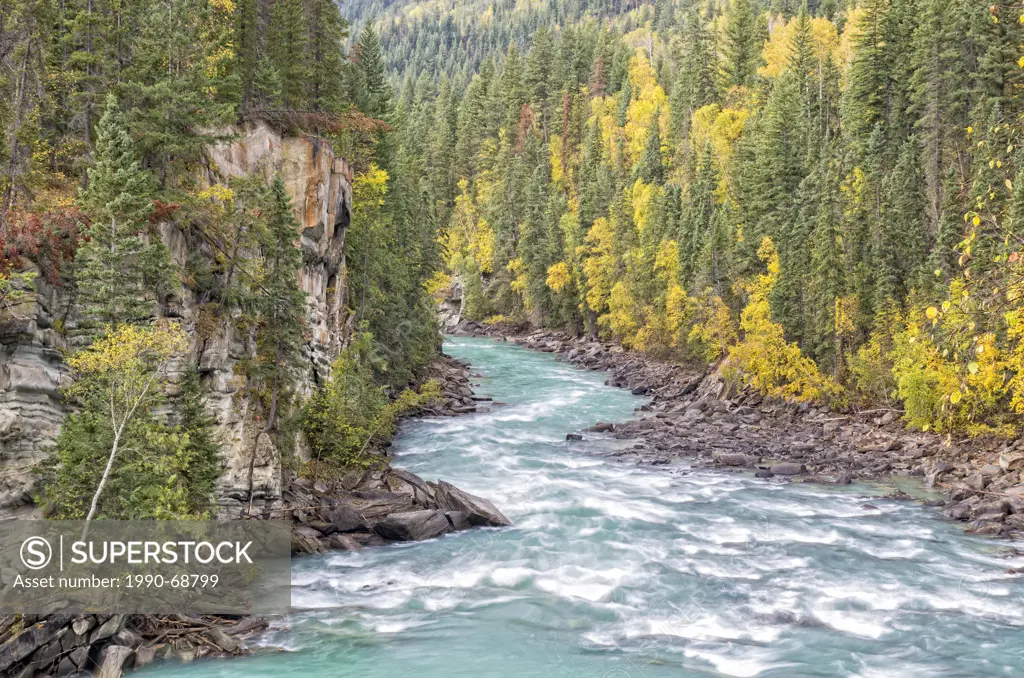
{"x":129,"y":258}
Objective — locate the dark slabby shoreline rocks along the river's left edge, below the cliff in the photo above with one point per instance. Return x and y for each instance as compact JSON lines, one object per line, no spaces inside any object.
{"x":364,"y":507}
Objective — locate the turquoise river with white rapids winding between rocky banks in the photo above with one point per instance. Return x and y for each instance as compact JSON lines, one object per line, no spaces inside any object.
{"x":615,"y":571}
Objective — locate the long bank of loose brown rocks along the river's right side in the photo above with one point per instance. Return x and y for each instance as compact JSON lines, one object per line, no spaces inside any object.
{"x":696,"y":418}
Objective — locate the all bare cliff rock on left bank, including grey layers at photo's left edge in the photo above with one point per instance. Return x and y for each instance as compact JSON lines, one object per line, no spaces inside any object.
{"x":32,"y":369}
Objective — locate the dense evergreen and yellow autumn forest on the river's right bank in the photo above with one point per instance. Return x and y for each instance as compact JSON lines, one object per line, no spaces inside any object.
{"x":827,"y":194}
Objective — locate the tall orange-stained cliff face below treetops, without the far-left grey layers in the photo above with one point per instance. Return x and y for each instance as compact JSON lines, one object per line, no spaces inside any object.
{"x":319,"y":185}
